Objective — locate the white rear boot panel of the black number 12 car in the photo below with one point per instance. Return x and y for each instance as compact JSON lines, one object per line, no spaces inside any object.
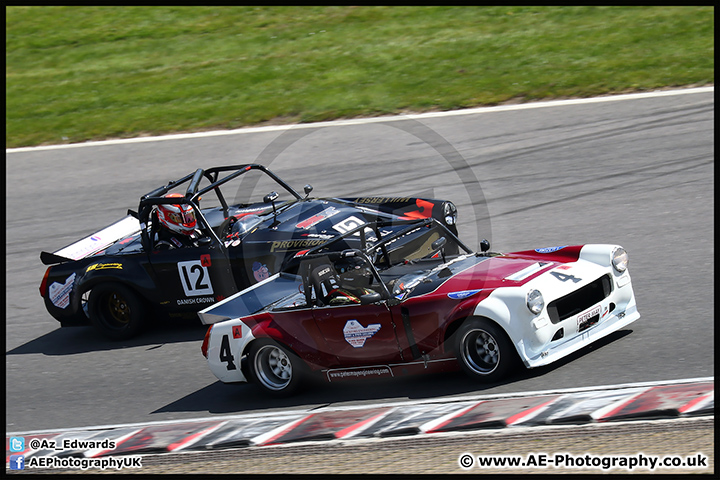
{"x":94,"y":243}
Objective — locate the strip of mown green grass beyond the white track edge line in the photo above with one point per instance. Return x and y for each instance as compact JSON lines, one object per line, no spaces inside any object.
{"x":87,"y":73}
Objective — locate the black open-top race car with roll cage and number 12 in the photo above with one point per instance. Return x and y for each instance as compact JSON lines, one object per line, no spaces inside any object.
{"x":126,"y":273}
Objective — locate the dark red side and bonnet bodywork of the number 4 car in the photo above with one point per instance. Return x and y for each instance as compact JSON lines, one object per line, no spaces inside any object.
{"x":413,"y":335}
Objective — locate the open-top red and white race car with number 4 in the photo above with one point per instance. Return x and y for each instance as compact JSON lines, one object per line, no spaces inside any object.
{"x":417,"y":300}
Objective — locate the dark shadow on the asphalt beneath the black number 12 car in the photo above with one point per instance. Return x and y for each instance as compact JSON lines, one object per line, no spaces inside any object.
{"x":71,"y":341}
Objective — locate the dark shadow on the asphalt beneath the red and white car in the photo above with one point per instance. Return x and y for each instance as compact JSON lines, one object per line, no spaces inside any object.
{"x":220,"y":398}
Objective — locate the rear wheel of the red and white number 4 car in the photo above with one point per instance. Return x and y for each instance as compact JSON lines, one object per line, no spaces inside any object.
{"x":274,"y":368}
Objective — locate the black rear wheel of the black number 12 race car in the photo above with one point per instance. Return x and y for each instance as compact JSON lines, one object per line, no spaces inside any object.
{"x":116,"y":311}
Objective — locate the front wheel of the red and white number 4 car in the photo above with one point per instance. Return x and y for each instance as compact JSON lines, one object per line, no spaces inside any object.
{"x":484,"y":350}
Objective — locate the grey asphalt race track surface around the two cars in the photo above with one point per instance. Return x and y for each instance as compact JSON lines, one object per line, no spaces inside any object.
{"x":634,"y":172}
